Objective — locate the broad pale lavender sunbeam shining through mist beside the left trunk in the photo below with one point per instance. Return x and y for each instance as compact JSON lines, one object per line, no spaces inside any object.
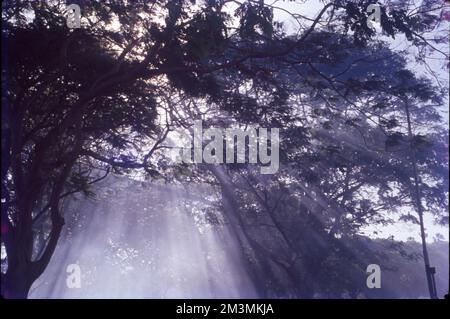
{"x":142,"y":242}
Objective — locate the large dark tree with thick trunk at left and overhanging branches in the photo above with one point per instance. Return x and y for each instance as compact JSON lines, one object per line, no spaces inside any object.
{"x":80,"y":101}
